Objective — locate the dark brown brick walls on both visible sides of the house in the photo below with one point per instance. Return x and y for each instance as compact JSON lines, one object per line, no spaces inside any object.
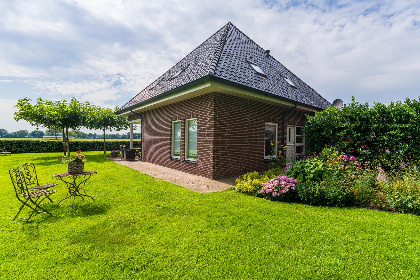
{"x":230,"y":137}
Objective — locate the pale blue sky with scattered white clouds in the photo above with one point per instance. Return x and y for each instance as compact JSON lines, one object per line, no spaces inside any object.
{"x":106,"y":52}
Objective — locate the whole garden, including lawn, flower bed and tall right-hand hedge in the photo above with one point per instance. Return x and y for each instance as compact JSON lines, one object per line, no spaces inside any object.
{"x":334,"y":214}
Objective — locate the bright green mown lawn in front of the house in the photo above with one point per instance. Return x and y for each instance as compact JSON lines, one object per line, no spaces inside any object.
{"x":145,"y":228}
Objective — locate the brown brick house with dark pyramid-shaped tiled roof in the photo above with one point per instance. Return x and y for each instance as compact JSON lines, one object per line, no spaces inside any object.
{"x":223,"y":110}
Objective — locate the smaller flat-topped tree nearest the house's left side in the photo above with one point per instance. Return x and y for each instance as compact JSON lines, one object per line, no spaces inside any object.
{"x":105,"y":119}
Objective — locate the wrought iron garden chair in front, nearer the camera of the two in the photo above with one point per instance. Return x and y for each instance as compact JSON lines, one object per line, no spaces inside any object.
{"x":27,"y":198}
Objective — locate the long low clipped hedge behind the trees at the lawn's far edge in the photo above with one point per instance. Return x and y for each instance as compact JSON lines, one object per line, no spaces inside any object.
{"x":47,"y":146}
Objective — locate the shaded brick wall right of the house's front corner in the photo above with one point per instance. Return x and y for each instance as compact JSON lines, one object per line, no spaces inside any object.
{"x":240,"y":126}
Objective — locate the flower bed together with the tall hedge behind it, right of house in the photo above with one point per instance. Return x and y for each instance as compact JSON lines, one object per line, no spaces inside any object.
{"x":357,"y":157}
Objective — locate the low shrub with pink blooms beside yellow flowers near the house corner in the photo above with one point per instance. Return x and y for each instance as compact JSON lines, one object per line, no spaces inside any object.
{"x":278,"y":186}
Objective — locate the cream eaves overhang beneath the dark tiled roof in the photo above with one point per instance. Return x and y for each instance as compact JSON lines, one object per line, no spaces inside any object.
{"x":210,"y":84}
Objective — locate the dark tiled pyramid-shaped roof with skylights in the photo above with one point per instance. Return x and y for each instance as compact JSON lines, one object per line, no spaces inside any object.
{"x":231,"y":57}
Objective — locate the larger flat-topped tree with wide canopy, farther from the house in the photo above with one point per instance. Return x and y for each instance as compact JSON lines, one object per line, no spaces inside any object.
{"x":54,"y":115}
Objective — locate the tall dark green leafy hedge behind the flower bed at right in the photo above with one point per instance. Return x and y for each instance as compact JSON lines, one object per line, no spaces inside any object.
{"x":385,"y":135}
